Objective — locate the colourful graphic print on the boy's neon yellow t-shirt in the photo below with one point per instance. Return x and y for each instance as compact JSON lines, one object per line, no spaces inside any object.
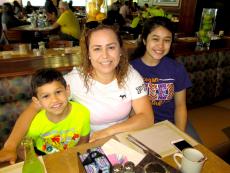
{"x":54,"y":141}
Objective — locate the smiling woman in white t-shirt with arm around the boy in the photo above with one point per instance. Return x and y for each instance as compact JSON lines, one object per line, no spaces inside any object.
{"x":106,"y":84}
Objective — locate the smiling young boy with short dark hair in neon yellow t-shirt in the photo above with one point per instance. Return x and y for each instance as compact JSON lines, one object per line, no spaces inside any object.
{"x":60,"y":124}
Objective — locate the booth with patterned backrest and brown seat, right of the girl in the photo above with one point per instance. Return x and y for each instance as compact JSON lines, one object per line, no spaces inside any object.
{"x":208,"y":99}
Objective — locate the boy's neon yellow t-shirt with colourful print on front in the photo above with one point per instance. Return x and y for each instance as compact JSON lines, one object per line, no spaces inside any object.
{"x":51,"y":137}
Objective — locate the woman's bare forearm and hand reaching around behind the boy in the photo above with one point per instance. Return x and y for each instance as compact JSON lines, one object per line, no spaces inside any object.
{"x":8,"y":153}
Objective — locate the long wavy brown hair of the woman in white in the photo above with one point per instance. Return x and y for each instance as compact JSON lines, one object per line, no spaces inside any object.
{"x":86,"y":66}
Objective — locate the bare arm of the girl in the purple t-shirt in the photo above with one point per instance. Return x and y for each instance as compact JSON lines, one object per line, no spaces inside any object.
{"x":180,"y":114}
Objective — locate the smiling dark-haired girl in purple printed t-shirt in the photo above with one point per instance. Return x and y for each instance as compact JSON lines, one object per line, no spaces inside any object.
{"x":166,"y":79}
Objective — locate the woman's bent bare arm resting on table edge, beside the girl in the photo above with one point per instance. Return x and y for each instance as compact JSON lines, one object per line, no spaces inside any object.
{"x":142,"y":118}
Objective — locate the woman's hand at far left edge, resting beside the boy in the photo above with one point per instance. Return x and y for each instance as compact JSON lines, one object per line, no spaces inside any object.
{"x":8,"y":155}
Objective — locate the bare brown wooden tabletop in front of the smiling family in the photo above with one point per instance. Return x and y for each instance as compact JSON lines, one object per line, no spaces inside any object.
{"x":67,"y":161}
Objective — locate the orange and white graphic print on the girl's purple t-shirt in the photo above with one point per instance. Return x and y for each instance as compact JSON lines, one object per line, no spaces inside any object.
{"x":159,"y":90}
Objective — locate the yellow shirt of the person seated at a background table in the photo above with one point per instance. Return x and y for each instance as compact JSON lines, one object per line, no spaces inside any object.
{"x":69,"y":24}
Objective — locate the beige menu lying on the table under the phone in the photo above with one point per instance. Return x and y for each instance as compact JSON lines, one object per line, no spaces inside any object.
{"x":158,"y":138}
